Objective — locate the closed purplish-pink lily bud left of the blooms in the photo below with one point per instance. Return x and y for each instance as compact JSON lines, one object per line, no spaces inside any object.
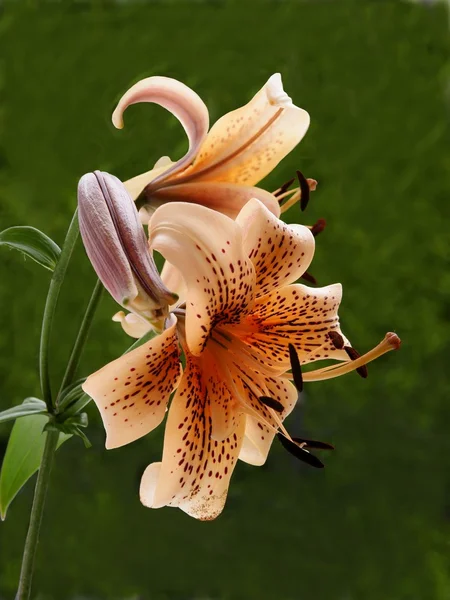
{"x":117,"y":247}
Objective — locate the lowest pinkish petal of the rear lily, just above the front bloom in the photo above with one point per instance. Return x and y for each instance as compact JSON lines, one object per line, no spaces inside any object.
{"x":227,"y":198}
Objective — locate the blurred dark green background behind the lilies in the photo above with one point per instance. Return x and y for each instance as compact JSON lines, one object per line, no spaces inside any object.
{"x":374,"y":76}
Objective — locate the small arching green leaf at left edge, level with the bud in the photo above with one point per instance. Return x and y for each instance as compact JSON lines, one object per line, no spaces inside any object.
{"x":33,"y":243}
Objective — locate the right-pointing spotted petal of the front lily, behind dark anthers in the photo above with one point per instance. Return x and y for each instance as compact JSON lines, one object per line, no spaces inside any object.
{"x":298,"y":315}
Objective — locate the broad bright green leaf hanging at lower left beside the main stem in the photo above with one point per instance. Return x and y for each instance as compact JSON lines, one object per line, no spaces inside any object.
{"x":23,"y":457}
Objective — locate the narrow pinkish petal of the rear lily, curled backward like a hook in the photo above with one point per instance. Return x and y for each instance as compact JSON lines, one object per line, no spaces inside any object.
{"x":178,"y":99}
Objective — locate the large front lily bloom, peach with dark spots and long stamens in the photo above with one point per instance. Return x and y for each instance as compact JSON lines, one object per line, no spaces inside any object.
{"x":243,"y":326}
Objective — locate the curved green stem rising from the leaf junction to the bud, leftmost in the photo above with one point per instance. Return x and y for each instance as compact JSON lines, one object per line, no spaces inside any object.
{"x":50,"y":305}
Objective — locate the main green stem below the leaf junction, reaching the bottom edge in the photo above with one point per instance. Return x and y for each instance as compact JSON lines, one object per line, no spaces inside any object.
{"x":40,"y":492}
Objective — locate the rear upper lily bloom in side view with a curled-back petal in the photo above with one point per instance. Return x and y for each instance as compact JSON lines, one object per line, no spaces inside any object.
{"x":222,"y":166}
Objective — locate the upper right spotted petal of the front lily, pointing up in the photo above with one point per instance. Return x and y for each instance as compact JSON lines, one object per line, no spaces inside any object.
{"x":280,"y":253}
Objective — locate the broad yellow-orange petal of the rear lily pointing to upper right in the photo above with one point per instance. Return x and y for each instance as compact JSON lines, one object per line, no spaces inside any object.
{"x":246,"y":144}
